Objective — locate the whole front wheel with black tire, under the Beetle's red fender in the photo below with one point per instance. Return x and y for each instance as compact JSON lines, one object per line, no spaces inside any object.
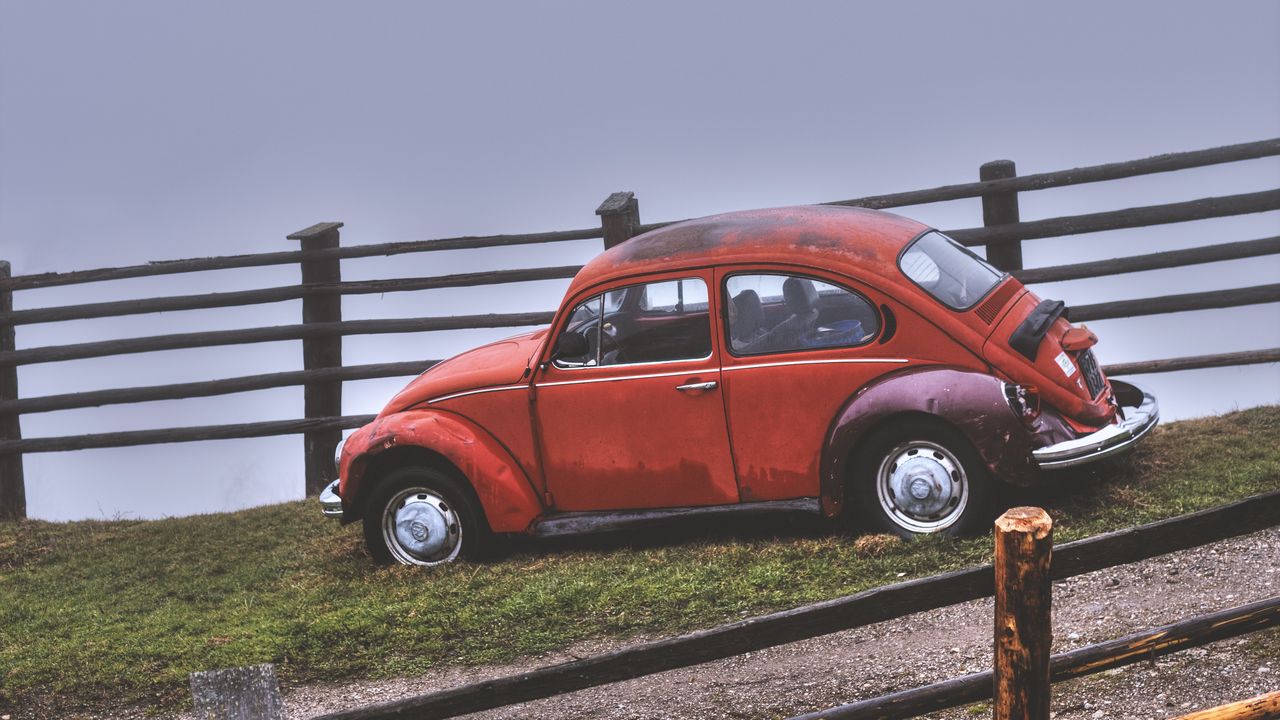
{"x":422,"y":516}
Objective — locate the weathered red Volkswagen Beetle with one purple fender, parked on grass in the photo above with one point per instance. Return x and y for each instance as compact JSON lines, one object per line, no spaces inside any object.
{"x":839,"y":361}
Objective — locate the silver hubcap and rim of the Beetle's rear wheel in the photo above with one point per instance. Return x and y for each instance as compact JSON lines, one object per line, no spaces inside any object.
{"x":922,"y":487}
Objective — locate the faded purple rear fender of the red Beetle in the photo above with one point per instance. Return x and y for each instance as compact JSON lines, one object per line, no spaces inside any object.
{"x":970,"y":402}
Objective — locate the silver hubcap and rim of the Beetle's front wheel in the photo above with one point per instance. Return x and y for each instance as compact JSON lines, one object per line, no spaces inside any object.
{"x":422,"y":528}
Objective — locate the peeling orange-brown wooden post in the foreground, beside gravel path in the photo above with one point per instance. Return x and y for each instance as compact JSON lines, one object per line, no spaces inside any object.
{"x":1025,"y":545}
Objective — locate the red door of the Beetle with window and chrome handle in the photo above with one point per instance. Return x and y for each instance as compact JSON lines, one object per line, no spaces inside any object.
{"x":637,"y":421}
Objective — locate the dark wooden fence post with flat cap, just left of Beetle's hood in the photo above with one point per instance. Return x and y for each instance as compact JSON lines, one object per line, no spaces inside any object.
{"x":322,"y":399}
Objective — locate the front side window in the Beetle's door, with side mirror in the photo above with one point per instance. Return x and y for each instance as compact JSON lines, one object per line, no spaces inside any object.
{"x":659,"y":322}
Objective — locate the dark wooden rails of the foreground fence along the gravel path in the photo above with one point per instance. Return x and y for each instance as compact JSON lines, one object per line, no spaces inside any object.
{"x":895,"y":601}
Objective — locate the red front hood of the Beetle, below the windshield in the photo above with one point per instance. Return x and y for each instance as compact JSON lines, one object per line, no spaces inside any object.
{"x":490,"y":366}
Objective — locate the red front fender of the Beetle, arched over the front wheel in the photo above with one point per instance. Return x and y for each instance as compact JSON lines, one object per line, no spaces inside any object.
{"x":505,"y":493}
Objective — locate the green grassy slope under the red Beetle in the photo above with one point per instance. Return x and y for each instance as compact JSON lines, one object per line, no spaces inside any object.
{"x":100,"y":614}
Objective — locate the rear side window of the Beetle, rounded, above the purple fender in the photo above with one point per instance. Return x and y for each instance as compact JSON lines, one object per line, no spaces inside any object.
{"x":775,"y":313}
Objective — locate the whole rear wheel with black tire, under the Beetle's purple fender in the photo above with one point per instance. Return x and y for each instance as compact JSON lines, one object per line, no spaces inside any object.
{"x":921,"y":477}
